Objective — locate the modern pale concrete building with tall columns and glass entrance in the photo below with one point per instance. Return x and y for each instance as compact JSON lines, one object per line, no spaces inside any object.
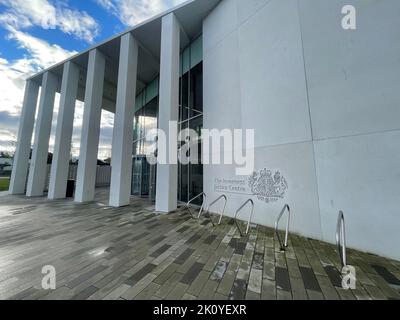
{"x":324,"y":102}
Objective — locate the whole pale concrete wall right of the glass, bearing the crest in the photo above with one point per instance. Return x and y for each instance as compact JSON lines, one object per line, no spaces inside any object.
{"x":325,"y":107}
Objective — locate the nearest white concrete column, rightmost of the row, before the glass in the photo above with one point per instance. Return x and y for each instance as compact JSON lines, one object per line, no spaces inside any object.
{"x":167,"y":175}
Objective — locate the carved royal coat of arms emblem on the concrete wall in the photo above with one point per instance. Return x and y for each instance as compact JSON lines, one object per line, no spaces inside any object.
{"x":268,"y":187}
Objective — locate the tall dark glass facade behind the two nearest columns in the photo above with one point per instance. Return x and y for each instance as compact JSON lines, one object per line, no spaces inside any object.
{"x":190,"y":179}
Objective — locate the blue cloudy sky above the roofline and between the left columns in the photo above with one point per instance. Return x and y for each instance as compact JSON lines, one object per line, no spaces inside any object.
{"x":35,"y":34}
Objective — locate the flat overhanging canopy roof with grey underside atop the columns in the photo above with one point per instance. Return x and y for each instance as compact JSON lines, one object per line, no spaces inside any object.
{"x":190,"y":14}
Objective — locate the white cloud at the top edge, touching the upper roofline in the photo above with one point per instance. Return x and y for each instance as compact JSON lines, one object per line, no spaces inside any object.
{"x":132,"y":12}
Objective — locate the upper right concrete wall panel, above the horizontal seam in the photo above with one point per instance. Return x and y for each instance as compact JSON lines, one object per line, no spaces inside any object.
{"x":353,"y":75}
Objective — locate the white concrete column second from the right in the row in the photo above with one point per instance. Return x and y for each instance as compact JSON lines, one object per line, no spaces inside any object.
{"x":121,"y":176}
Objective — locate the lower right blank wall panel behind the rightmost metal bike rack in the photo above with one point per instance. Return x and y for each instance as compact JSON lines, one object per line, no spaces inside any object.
{"x":361,"y":176}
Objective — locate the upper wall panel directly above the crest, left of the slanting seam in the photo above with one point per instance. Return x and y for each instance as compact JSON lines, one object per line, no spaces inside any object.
{"x":274,"y":96}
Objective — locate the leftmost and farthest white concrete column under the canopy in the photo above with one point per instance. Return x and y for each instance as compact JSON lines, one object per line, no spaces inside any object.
{"x":25,"y":131}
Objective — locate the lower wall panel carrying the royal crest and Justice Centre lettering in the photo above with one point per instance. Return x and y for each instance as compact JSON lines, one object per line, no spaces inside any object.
{"x":296,"y":165}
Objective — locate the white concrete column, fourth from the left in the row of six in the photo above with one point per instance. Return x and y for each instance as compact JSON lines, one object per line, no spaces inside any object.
{"x":86,"y":179}
